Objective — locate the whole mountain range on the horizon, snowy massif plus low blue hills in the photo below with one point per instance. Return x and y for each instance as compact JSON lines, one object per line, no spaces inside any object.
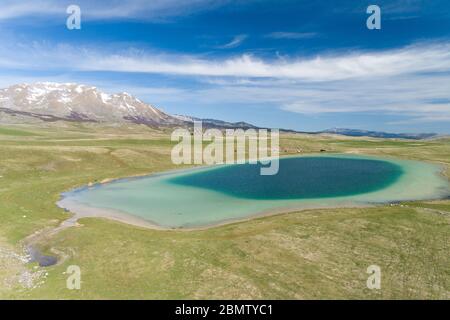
{"x":48,"y":101}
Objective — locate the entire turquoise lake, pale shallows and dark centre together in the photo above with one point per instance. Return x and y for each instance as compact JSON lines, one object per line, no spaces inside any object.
{"x":213,"y":195}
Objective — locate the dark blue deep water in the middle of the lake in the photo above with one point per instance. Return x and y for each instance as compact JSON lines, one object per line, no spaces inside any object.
{"x":298,"y":178}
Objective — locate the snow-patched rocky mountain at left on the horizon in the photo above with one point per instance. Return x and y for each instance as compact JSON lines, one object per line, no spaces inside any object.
{"x":75,"y":102}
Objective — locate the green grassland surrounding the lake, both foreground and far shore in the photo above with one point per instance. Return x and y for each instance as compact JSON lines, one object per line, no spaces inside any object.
{"x":309,"y":254}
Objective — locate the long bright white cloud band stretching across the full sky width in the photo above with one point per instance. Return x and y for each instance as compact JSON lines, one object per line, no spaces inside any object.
{"x":423,"y":58}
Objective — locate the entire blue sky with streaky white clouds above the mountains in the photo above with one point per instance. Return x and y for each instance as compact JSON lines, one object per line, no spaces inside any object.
{"x":304,"y":65}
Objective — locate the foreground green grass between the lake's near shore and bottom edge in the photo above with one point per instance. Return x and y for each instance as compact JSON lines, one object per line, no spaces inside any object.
{"x":312,"y":255}
